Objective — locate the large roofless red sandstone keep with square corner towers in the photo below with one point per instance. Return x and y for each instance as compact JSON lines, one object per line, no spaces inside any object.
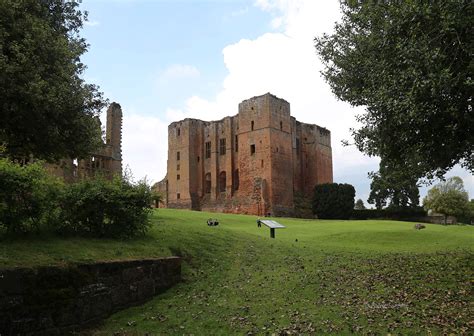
{"x":254,"y":162}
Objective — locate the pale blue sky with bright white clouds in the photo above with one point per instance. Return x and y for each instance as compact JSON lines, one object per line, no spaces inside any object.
{"x":166,"y":60}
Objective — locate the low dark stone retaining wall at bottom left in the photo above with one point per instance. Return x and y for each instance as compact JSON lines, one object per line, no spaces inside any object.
{"x":58,"y":300}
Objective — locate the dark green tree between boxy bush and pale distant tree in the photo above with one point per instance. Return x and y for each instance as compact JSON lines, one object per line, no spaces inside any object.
{"x":396,"y":187}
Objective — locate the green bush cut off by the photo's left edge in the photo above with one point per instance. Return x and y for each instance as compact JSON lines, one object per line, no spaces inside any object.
{"x":28,"y":197}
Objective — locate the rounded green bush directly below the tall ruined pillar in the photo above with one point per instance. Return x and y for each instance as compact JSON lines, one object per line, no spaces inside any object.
{"x":101,"y":208}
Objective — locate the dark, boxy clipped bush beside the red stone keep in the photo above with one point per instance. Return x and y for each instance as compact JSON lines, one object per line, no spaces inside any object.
{"x":333,"y":200}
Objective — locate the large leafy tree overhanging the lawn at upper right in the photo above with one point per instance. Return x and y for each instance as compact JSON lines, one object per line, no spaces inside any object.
{"x":409,"y":63}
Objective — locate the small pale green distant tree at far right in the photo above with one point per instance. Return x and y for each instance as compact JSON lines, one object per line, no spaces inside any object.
{"x":448,"y":198}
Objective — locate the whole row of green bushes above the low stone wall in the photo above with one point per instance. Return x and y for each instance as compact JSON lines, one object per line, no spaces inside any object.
{"x":32,"y":200}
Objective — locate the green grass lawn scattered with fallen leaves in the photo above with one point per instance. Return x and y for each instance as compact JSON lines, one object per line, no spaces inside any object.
{"x":317,"y":276}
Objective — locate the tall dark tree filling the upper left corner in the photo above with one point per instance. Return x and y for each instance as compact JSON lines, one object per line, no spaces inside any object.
{"x":47,"y":110}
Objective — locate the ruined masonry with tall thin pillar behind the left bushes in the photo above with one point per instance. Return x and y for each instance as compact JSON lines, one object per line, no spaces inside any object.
{"x":107,"y":160}
